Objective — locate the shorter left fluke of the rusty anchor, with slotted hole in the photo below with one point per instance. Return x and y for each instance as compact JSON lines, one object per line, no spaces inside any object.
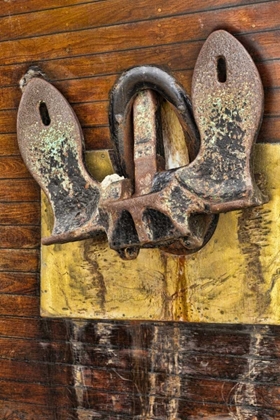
{"x":51,"y":144}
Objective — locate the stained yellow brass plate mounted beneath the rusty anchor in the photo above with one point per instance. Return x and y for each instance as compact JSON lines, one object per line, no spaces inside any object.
{"x":234,"y":278}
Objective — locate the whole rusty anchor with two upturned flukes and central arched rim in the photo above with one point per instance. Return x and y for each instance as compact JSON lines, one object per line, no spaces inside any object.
{"x":149,"y":203}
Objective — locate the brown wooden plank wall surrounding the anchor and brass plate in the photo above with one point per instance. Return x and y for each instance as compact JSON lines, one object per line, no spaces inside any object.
{"x":62,"y":369}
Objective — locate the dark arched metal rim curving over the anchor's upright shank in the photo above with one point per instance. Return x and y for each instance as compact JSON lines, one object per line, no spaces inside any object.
{"x":122,"y":96}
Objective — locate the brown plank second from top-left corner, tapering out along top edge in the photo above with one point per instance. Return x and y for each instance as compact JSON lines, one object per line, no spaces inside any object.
{"x":92,"y":15}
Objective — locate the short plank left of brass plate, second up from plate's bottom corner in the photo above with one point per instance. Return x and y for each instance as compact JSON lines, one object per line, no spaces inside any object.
{"x":19,"y":283}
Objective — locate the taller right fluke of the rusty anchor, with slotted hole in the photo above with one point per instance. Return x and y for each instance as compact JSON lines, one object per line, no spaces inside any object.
{"x":228,"y":114}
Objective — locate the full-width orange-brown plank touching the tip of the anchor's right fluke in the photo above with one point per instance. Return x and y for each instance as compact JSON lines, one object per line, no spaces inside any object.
{"x":142,"y":34}
